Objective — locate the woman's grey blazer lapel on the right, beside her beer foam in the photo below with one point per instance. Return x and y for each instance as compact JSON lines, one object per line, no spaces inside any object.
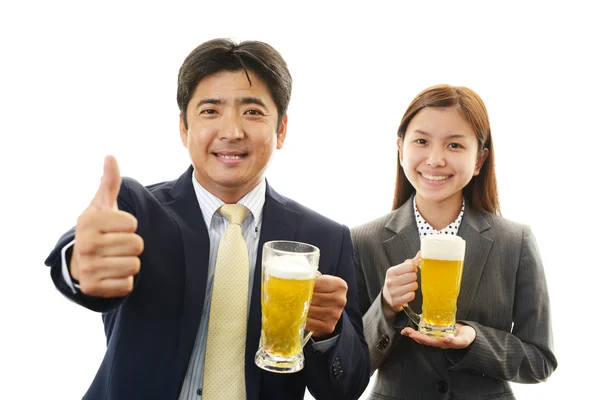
{"x":478,"y":248}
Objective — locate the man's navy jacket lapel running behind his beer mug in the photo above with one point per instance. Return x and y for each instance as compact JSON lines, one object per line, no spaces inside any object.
{"x":278,"y":223}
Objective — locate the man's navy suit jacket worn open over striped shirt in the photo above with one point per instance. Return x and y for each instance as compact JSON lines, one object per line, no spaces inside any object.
{"x":151,"y":332}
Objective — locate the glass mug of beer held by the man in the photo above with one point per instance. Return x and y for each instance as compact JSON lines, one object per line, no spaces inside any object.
{"x":289,"y":270}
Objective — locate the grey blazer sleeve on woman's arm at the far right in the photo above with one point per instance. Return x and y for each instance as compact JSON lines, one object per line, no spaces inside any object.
{"x":524,"y":355}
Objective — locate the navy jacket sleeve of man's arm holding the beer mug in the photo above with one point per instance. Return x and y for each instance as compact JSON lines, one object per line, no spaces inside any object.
{"x":342,"y":372}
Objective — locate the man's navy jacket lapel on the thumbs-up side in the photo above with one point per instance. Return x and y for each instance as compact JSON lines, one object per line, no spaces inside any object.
{"x":196,"y":247}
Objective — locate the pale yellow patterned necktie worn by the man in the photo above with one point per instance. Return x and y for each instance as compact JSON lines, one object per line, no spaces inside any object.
{"x":224,"y":372}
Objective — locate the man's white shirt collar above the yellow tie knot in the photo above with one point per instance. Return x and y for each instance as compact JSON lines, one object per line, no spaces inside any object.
{"x":254,"y":200}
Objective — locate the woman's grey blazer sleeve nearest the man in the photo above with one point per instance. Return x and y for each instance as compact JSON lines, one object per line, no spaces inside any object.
{"x":381,"y":335}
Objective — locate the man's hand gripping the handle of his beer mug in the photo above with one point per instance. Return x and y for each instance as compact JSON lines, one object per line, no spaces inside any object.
{"x":328,"y":302}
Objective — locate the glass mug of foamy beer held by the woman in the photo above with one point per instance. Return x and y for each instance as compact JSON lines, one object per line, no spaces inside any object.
{"x":441,"y":264}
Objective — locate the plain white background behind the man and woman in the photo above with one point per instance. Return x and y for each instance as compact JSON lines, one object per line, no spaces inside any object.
{"x":79,"y":81}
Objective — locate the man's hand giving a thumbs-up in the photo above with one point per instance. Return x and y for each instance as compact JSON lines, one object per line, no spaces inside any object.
{"x":105,"y":255}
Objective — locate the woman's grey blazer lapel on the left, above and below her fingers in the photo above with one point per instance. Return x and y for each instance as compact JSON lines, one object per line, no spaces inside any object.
{"x":401,"y":242}
